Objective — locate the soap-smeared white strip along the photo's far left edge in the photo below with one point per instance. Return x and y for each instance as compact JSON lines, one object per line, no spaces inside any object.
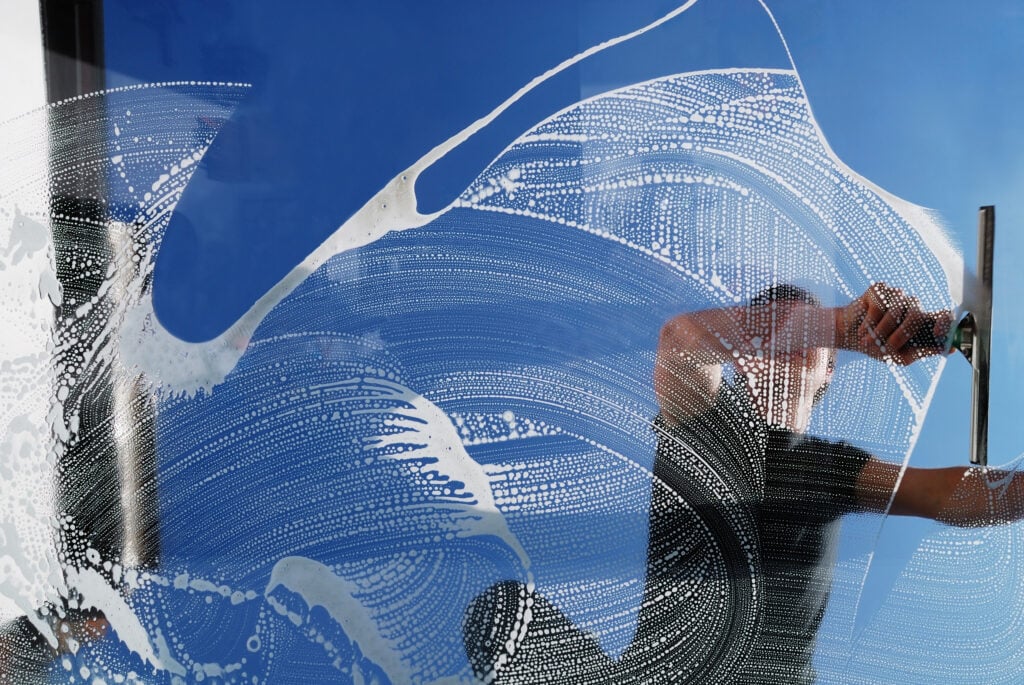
{"x":30,"y":572}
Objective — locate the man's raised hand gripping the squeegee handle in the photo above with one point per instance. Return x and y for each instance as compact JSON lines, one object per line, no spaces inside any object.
{"x":887,"y":324}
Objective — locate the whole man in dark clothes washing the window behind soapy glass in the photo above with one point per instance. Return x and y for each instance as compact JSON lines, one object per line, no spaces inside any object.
{"x":775,"y":544}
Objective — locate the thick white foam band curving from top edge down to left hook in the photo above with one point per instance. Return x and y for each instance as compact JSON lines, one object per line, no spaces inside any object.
{"x":185,"y":368}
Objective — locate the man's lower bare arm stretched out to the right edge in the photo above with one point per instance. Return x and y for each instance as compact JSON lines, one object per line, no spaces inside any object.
{"x":958,"y":496}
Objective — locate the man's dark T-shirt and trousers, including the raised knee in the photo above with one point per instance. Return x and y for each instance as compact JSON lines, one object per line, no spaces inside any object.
{"x":744,"y":531}
